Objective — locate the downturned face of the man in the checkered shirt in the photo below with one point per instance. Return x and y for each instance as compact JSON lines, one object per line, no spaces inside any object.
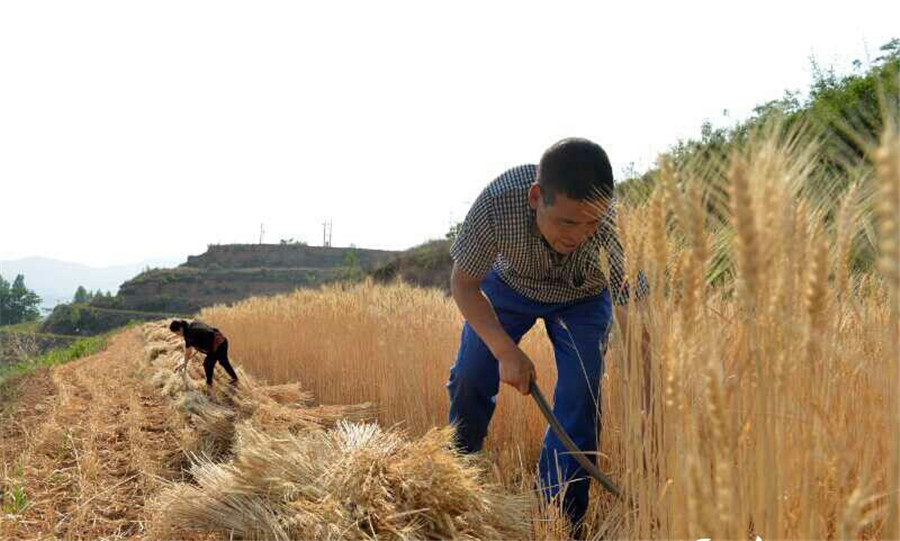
{"x":567,"y":223}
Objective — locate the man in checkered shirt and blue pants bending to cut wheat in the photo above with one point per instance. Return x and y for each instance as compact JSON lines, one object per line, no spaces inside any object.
{"x":530,"y":248}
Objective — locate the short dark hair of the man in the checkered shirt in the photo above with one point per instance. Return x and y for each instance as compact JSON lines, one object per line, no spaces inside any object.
{"x":577,"y":168}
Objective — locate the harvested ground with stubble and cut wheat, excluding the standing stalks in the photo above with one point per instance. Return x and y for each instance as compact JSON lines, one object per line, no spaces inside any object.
{"x":127,"y":447}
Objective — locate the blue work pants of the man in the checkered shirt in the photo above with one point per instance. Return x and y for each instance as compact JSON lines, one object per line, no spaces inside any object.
{"x":578,"y":331}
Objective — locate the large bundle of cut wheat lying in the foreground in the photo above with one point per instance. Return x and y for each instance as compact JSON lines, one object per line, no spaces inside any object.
{"x":352,"y":482}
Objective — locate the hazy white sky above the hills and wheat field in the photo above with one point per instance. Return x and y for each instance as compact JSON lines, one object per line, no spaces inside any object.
{"x":131,"y":130}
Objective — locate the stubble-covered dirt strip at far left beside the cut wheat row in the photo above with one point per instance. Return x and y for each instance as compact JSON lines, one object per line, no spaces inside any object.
{"x":83,"y":448}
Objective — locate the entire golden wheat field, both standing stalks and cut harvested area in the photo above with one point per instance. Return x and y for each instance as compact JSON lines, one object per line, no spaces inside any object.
{"x":772,"y":408}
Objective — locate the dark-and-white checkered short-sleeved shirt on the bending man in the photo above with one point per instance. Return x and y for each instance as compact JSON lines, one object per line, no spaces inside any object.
{"x":500,"y":232}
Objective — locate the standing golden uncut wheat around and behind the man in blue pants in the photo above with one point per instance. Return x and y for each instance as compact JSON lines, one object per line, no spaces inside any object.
{"x":773,"y":383}
